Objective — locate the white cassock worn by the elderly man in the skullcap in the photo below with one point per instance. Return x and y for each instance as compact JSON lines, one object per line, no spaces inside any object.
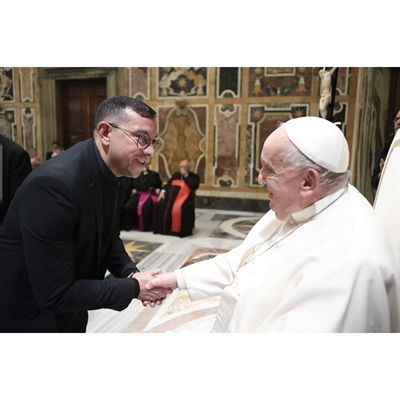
{"x":330,"y":270}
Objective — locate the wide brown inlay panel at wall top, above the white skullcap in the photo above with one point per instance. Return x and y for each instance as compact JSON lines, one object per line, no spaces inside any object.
{"x":280,"y":81}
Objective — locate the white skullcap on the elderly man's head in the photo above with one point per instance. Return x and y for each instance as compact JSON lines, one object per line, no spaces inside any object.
{"x":321,"y":141}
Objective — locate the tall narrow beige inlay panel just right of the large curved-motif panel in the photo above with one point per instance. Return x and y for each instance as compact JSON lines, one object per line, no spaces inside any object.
{"x":226,"y":148}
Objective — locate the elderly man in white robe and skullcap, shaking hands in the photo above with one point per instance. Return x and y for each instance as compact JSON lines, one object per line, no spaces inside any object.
{"x":318,"y":261}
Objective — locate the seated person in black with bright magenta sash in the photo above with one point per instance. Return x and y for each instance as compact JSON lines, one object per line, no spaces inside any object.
{"x":140,"y":200}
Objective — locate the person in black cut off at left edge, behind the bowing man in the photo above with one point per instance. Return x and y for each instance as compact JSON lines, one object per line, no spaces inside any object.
{"x":15,"y":164}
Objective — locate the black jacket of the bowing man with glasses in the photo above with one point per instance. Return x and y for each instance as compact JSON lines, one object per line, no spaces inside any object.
{"x":59,"y":238}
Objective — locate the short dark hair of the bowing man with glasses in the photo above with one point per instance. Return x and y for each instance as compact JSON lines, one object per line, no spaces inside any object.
{"x":116,"y":107}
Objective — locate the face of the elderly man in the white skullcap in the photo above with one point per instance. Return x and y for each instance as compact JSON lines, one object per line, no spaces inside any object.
{"x":282,"y":182}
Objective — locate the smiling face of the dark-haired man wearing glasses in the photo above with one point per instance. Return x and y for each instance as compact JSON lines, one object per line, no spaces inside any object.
{"x":123,"y":155}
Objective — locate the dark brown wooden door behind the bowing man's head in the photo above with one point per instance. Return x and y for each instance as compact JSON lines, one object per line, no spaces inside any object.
{"x":79,"y":101}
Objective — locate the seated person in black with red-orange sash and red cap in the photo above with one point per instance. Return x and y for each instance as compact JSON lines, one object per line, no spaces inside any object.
{"x":175,"y":210}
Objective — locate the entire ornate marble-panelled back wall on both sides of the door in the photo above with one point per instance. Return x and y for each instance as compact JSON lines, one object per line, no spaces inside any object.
{"x":218,"y":117}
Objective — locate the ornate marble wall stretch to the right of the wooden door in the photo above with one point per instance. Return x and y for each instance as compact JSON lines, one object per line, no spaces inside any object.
{"x":220,"y":117}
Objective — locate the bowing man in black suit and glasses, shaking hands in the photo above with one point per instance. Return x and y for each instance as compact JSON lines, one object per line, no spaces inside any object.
{"x":61,"y":234}
